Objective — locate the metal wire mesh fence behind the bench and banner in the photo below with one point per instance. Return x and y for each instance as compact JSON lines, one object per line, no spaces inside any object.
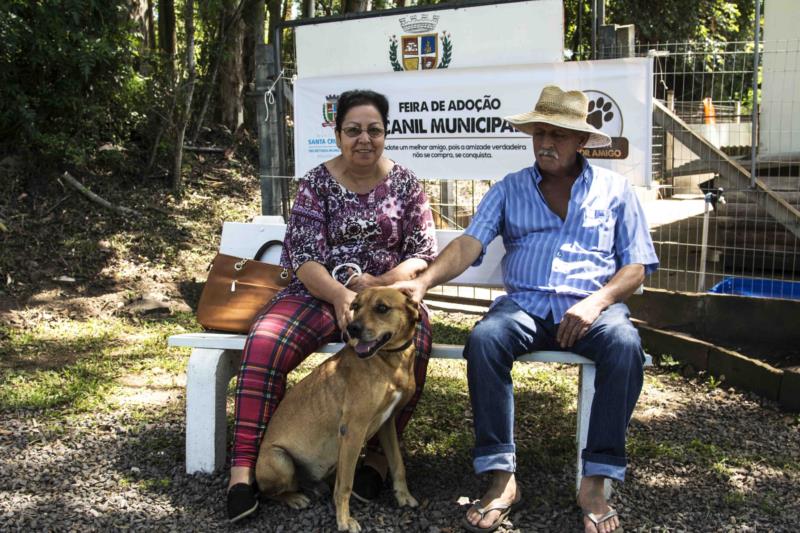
{"x":721,"y":219}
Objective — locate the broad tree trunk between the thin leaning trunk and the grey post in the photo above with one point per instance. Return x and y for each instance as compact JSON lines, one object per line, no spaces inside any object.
{"x":232,"y":71}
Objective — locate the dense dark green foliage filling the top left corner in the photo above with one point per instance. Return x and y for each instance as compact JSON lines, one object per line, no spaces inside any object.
{"x":69,"y":82}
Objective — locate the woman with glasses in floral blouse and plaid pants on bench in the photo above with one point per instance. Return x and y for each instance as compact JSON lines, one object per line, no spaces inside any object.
{"x":360,"y":208}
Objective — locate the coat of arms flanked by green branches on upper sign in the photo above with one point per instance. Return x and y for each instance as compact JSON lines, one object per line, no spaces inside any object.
{"x":420,"y":50}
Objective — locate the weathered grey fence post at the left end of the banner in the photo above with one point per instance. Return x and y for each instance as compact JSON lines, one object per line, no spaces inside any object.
{"x":268,"y":146}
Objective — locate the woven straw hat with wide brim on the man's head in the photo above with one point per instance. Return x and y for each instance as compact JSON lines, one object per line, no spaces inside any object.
{"x":565,"y":109}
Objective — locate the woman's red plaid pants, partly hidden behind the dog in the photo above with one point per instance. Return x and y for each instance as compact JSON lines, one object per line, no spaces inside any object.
{"x":287,"y":331}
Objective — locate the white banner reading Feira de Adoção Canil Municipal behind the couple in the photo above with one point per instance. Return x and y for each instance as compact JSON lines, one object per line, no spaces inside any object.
{"x":448,"y":124}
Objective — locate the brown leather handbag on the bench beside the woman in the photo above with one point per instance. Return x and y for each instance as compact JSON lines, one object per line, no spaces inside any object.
{"x":238,"y":288}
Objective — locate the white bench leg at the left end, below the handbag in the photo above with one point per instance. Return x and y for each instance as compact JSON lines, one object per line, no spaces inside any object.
{"x":207,"y":377}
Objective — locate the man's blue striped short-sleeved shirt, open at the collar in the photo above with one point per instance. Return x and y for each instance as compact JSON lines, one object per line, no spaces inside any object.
{"x":552,"y":264}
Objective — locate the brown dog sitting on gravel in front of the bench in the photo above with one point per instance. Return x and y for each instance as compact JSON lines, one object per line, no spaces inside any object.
{"x":324,"y":420}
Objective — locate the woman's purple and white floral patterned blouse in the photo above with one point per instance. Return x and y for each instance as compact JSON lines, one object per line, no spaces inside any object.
{"x":378,"y":230}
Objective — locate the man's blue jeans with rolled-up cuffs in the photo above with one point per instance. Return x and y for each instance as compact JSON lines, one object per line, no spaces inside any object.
{"x":505,"y":333}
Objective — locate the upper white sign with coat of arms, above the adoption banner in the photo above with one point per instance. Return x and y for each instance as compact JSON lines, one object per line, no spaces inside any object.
{"x":472,"y":36}
